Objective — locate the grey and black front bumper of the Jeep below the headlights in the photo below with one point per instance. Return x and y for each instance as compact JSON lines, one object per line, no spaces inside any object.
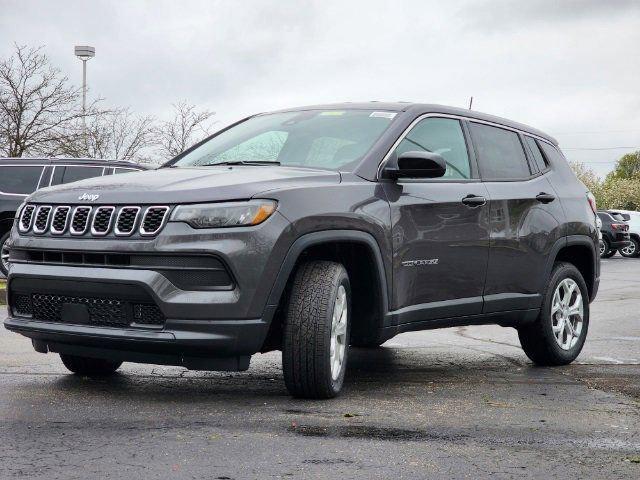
{"x":209,"y":330}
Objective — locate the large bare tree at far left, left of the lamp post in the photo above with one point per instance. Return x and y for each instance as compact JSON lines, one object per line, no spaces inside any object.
{"x":38,"y":109}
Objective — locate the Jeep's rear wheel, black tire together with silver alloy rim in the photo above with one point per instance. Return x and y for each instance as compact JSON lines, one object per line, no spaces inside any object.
{"x":559,"y":333}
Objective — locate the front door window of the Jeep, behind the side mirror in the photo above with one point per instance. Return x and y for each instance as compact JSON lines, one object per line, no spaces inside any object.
{"x":442,"y":136}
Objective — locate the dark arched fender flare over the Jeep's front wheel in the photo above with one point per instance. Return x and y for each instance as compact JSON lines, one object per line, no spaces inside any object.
{"x":329,"y":236}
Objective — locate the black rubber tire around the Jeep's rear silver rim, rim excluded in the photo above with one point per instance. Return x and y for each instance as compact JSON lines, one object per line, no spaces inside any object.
{"x":559,"y":274}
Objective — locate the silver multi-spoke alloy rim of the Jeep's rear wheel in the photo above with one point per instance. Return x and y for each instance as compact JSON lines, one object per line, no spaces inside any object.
{"x":567,"y":313}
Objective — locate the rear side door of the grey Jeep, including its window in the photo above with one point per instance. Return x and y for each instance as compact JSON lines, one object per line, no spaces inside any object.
{"x":525,"y":218}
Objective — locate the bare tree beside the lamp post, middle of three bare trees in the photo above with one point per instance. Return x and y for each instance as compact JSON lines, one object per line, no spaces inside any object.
{"x":111,"y":134}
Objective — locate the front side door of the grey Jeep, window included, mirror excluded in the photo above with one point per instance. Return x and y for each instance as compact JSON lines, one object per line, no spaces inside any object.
{"x":440,"y":229}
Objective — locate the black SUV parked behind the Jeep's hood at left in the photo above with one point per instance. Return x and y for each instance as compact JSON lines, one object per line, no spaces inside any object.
{"x":19,"y":177}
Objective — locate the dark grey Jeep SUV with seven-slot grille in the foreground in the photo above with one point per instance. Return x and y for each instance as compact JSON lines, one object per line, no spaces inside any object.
{"x":309,"y":230}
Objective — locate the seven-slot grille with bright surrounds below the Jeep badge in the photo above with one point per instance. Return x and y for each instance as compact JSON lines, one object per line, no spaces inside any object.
{"x":96,"y":221}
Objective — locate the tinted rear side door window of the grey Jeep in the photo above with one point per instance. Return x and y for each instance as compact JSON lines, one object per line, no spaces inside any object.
{"x":500,"y":153}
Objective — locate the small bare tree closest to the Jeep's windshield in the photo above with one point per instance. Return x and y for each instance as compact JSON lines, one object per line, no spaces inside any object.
{"x":187,"y":127}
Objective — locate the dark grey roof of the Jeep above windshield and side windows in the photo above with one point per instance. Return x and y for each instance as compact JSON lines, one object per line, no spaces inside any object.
{"x":421,"y":108}
